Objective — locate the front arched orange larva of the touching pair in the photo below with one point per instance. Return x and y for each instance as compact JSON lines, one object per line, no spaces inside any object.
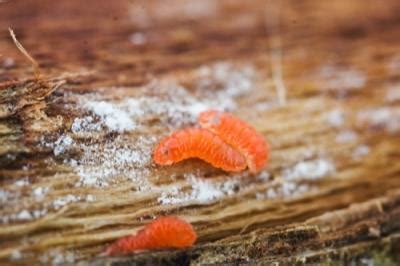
{"x":198,"y":143}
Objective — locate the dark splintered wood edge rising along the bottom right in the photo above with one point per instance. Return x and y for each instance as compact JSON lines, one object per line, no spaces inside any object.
{"x":353,"y":233}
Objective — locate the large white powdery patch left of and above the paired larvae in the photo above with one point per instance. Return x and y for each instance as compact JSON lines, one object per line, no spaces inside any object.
{"x":216,"y":86}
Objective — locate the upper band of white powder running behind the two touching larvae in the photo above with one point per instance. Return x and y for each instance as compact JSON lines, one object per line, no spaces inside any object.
{"x":216,"y":87}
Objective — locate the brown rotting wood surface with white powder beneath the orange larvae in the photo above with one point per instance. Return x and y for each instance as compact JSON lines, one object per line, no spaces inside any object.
{"x":75,"y":165}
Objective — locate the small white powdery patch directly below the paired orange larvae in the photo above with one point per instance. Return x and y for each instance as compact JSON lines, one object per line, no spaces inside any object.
{"x":202,"y":192}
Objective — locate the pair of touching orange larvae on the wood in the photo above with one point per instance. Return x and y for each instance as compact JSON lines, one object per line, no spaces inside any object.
{"x":223,"y":140}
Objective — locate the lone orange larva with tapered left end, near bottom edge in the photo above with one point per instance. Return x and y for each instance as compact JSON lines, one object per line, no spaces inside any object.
{"x":164,"y":232}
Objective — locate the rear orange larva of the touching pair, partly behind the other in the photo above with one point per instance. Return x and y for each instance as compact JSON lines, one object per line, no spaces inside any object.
{"x":238,"y":134}
